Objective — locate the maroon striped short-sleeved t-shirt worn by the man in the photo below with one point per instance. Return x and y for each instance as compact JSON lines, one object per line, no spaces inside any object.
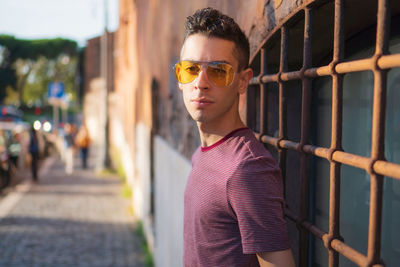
{"x":233,"y":204}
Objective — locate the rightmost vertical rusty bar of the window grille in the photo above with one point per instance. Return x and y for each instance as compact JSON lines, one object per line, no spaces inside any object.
{"x":378,"y":134}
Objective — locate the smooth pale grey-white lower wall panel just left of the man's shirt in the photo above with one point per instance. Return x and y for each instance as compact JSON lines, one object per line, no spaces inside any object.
{"x":171,"y":172}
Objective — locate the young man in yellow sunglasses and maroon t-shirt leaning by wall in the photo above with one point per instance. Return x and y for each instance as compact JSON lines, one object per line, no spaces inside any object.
{"x":234,"y":198}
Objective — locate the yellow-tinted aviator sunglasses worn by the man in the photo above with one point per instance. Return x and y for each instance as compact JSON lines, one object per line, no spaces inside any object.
{"x":219,"y":73}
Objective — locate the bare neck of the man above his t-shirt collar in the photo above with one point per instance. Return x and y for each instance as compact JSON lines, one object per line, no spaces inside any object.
{"x":210,"y":134}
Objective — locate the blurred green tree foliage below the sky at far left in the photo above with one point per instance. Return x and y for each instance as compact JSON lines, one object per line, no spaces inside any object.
{"x":27,"y":66}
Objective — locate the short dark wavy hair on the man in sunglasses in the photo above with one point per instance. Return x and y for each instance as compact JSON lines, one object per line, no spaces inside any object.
{"x":212,"y":23}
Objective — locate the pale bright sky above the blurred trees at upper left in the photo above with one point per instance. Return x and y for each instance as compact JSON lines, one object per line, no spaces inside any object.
{"x":78,"y":20}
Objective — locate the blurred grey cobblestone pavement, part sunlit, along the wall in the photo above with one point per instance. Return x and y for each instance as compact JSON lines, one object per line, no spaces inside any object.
{"x":76,"y":220}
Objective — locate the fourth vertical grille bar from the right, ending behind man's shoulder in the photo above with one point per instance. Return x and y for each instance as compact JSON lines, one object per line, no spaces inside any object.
{"x":282,"y":104}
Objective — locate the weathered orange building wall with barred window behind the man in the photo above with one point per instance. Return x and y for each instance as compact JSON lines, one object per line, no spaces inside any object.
{"x":323,"y":101}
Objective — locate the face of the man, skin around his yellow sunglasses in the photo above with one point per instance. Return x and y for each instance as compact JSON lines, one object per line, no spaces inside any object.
{"x":206,"y":102}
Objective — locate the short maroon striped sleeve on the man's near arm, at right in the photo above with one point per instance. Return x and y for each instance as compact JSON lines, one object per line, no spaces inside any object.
{"x":255,"y":193}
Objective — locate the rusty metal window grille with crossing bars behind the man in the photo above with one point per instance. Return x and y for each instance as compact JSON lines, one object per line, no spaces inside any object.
{"x":375,"y":165}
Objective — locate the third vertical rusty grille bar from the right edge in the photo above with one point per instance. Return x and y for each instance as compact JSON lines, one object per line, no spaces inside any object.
{"x":305,"y":129}
